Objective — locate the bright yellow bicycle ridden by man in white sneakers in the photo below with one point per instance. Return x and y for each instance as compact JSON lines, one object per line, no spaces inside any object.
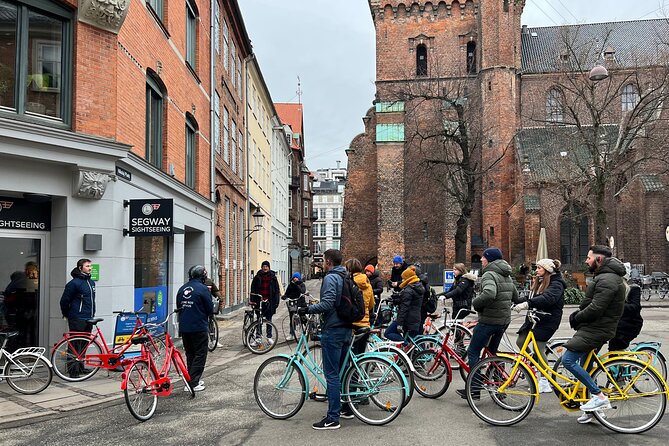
{"x":502,"y":389}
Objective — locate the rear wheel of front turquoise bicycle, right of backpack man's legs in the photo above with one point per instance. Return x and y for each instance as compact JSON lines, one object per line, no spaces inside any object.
{"x":374,"y":389}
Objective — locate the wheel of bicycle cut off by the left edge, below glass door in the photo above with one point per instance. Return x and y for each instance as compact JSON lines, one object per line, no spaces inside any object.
{"x":28,"y":374}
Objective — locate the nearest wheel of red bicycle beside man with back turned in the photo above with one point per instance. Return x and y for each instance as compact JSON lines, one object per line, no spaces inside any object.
{"x":138,"y":393}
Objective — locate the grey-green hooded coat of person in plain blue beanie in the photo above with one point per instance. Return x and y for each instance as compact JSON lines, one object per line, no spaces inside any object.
{"x":497,"y":292}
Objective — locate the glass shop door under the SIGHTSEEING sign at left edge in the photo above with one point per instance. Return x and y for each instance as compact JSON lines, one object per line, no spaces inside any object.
{"x":20,"y":282}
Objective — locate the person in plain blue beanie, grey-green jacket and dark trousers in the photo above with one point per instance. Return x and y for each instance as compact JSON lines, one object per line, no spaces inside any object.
{"x":493,"y":305}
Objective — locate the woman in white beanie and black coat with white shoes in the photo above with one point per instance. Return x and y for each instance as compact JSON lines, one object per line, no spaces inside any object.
{"x":546,"y":295}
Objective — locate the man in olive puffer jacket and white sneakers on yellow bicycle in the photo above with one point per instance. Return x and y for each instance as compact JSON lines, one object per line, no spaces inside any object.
{"x":596,"y":320}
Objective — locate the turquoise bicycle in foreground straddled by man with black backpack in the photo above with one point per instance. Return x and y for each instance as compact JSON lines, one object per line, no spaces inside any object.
{"x":372,"y":384}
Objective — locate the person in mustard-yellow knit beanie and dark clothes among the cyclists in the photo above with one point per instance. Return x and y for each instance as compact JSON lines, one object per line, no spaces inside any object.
{"x":408,"y":316}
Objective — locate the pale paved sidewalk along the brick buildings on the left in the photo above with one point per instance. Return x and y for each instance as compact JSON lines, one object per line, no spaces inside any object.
{"x":104,"y":388}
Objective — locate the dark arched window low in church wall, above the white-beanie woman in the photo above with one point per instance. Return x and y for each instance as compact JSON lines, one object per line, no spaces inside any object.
{"x":574,"y":240}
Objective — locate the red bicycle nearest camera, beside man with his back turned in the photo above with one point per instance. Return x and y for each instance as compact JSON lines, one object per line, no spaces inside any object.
{"x":143,"y":382}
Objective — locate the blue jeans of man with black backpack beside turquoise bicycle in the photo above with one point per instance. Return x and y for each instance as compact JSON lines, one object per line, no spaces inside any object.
{"x":334,"y":345}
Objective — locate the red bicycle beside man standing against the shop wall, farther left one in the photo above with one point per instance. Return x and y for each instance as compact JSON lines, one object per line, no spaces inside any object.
{"x":79,"y":349}
